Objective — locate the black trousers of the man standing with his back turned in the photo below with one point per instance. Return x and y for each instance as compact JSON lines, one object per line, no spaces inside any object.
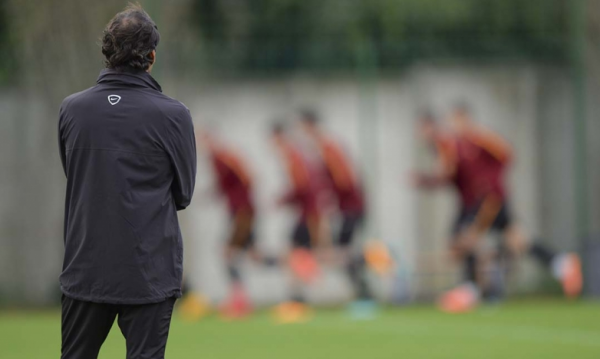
{"x":85,"y":326}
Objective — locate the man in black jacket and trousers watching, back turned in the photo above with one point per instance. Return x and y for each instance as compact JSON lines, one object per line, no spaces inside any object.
{"x":129,"y":155}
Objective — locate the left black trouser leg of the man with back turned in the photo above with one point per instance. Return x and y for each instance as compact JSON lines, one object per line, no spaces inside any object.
{"x":85,"y":326}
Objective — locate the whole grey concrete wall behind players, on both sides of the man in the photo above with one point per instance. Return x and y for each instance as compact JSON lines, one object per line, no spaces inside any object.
{"x":375,"y":121}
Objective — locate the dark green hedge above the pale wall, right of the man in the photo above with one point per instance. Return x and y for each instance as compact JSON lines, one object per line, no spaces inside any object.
{"x":313,"y":34}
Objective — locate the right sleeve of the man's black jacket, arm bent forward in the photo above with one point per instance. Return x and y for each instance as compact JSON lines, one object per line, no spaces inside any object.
{"x":181,"y":148}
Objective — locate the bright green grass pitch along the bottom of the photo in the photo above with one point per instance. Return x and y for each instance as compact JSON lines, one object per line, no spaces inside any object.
{"x":544,"y":329}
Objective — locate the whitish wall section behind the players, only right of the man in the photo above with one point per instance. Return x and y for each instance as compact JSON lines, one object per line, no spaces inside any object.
{"x":415,"y":225}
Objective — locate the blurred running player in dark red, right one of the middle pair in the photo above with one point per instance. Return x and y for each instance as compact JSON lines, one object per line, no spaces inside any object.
{"x":343,"y":182}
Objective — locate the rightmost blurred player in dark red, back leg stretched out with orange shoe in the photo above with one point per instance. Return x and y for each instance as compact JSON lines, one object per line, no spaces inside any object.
{"x":489,"y":155}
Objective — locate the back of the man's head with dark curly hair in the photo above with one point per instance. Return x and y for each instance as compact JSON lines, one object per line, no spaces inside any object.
{"x":128,"y":40}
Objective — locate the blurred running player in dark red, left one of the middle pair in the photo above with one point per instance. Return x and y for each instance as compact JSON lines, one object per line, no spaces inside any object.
{"x":302,"y":195}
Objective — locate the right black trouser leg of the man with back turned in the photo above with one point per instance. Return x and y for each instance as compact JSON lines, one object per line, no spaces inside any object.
{"x":146,"y":328}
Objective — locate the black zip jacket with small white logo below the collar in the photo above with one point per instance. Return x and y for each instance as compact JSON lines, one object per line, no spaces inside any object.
{"x":129,"y":155}
